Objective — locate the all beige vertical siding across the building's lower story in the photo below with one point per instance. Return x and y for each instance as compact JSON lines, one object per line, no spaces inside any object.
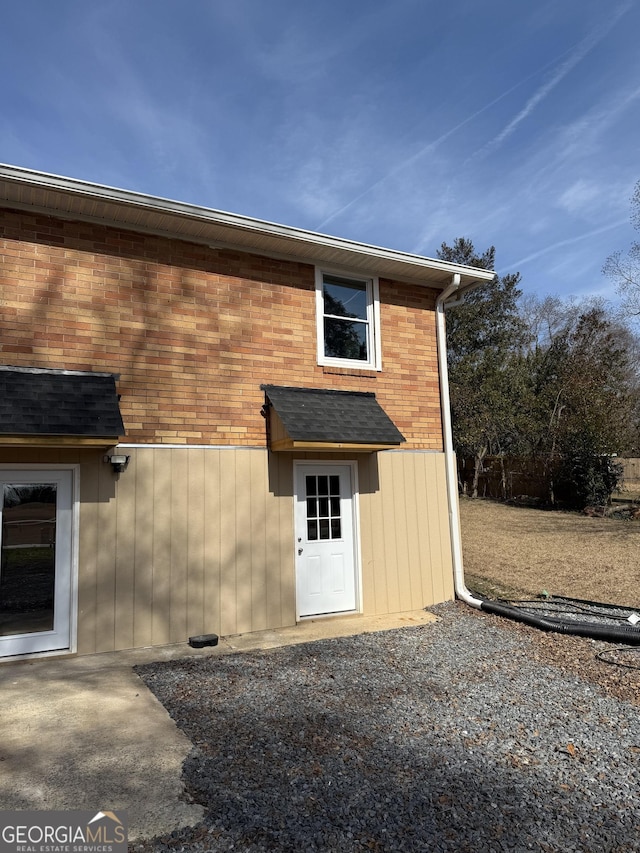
{"x":194,"y":540}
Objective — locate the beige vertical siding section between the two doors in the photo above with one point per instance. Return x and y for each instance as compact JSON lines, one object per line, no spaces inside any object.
{"x":189,"y":541}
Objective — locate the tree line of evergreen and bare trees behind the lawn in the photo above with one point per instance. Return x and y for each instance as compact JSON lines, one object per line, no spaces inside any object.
{"x":551,"y":381}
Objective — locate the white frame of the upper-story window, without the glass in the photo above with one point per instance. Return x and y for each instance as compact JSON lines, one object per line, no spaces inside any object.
{"x":374,"y":361}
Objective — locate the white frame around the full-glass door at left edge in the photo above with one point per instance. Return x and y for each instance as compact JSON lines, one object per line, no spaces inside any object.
{"x":71,"y":593}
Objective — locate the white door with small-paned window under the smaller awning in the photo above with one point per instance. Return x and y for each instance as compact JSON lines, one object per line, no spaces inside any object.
{"x":325,"y":539}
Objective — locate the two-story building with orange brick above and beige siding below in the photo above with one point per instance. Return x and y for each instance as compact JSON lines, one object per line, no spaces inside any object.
{"x":210,"y":423}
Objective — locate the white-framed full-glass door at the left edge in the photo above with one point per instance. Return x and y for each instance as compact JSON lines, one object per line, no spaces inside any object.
{"x":36,"y":545}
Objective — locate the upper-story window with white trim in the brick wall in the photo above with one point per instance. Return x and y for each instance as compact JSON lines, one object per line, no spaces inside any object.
{"x":348,"y":320}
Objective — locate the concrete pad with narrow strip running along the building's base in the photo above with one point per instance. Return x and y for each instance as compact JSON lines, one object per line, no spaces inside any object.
{"x":86,"y":733}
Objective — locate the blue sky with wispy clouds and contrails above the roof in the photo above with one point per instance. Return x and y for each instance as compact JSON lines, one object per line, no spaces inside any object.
{"x":402,"y":123}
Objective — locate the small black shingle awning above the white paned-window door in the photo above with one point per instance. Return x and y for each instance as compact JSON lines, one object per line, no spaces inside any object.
{"x":318,"y":419}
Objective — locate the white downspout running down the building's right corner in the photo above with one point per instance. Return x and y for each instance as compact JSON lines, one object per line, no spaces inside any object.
{"x":450,"y":461}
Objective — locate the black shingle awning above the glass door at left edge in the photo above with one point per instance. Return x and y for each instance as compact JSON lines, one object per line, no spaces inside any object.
{"x":58,"y":408}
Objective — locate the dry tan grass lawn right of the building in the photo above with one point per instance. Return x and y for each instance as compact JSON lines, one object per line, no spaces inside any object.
{"x":517,"y":552}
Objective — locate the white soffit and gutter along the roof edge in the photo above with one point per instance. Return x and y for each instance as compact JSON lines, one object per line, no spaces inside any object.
{"x":72,"y":199}
